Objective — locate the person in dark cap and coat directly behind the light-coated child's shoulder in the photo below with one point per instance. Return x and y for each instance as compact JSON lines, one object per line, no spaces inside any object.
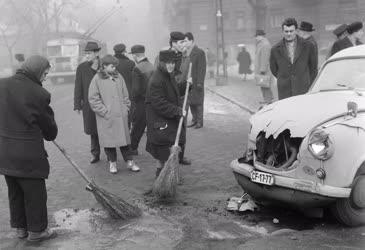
{"x":125,"y":68}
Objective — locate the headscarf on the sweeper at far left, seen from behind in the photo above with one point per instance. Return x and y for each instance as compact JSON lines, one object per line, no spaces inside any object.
{"x":34,"y":67}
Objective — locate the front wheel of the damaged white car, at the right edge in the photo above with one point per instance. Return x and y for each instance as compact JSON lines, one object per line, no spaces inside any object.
{"x":351,"y":211}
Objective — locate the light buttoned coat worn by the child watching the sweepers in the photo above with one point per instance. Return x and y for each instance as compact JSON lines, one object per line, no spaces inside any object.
{"x":109,"y":100}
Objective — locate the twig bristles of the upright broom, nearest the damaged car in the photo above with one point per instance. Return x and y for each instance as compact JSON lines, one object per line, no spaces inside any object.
{"x":165,"y":184}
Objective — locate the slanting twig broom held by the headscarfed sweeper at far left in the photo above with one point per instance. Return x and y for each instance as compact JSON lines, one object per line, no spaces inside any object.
{"x":116,"y":206}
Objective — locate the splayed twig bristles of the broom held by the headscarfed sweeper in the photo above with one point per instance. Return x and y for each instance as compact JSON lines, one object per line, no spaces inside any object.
{"x":116,"y":206}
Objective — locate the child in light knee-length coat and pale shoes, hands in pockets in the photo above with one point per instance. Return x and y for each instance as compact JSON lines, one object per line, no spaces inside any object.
{"x":108,"y":98}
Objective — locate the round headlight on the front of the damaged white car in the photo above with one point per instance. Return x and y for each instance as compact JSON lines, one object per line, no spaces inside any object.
{"x":320,"y":145}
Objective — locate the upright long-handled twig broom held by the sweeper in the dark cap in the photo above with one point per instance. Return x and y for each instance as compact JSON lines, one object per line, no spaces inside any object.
{"x":166,"y":182}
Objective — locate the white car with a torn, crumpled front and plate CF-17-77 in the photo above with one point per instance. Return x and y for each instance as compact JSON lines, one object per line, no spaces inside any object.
{"x":309,"y":150}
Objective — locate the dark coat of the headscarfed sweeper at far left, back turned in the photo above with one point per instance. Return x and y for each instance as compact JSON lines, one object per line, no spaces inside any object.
{"x":25,"y":120}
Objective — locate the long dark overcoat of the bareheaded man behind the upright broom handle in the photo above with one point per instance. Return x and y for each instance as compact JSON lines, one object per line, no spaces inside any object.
{"x":198,"y":70}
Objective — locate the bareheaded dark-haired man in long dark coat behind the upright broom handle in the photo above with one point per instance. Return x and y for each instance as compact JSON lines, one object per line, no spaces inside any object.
{"x":198,"y":70}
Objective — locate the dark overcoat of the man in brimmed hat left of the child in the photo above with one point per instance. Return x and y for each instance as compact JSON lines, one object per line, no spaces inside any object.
{"x":84,"y":75}
